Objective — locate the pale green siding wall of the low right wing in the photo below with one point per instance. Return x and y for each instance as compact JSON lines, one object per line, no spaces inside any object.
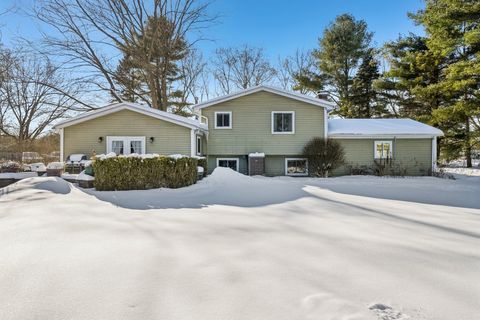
{"x":415,"y":155}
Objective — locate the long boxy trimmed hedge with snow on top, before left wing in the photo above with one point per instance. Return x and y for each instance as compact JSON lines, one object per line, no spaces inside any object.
{"x":135,"y":173}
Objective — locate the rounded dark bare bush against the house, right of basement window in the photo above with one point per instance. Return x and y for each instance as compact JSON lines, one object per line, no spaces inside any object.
{"x":323,"y":156}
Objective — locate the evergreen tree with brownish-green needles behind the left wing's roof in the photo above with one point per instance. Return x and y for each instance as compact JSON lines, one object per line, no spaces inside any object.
{"x":149,"y":68}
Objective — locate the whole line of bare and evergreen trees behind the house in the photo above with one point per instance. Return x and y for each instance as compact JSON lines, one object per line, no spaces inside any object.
{"x":147,"y":52}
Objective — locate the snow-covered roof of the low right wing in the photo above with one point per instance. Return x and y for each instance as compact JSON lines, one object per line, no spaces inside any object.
{"x":380,"y":127}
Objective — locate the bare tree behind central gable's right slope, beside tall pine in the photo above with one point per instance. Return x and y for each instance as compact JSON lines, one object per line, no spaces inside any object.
{"x":292,"y":68}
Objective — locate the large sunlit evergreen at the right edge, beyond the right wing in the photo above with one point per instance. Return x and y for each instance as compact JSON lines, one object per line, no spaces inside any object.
{"x":453,"y":29}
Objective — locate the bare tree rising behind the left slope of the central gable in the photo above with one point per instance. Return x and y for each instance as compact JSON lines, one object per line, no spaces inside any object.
{"x":241,"y":68}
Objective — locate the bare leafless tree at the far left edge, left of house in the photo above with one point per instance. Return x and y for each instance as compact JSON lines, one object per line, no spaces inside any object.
{"x":33,"y":94}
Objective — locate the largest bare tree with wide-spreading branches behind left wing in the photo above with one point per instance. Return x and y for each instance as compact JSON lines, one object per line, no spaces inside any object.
{"x":92,"y":35}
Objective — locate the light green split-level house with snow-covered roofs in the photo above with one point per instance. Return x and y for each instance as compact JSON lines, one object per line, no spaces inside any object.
{"x":261,"y":130}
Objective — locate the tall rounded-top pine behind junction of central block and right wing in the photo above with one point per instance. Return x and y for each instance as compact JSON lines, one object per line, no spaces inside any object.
{"x":343,"y":45}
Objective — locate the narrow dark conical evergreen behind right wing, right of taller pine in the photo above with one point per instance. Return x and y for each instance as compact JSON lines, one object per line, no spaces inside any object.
{"x":364,"y":95}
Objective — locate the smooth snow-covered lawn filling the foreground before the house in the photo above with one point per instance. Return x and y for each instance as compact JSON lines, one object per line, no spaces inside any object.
{"x":235,"y":247}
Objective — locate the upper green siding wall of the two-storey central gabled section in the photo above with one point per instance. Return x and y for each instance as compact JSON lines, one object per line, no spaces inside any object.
{"x":251,"y":125}
